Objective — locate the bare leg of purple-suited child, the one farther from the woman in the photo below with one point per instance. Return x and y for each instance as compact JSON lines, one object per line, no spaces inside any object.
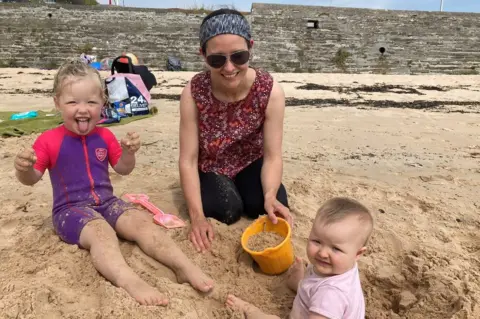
{"x":100,"y":238}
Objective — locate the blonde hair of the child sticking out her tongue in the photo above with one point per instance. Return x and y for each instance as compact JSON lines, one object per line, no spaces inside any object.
{"x":75,"y":68}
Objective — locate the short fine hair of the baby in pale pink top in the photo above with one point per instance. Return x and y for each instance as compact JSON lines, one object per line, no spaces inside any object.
{"x":339,"y":208}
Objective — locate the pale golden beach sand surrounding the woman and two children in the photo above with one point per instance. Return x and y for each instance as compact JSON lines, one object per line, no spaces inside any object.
{"x":416,"y":169}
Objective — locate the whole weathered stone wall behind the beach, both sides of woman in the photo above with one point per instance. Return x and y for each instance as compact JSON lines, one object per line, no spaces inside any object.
{"x":287,"y":38}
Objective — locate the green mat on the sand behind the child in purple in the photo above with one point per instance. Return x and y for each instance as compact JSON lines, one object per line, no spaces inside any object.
{"x":44,"y":121}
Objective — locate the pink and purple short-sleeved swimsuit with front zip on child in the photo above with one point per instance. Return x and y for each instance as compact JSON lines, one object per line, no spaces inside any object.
{"x":78,"y":167}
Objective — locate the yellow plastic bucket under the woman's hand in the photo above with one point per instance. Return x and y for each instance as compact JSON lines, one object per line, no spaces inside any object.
{"x":274,"y":260}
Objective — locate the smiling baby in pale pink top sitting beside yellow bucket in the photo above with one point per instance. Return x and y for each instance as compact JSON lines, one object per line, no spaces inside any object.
{"x":330,"y":286}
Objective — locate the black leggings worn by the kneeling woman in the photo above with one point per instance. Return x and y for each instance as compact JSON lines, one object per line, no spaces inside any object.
{"x":226,"y":200}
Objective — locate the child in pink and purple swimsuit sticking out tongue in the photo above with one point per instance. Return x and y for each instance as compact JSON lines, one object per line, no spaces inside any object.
{"x":85,"y":211}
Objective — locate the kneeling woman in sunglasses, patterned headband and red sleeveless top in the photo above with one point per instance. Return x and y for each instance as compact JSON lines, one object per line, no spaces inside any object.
{"x":231,"y":127}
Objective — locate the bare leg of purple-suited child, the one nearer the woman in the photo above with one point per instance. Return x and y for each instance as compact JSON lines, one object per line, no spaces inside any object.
{"x":137,"y":225}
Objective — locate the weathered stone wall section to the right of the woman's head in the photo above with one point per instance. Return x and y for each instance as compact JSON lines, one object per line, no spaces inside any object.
{"x":350,"y":40}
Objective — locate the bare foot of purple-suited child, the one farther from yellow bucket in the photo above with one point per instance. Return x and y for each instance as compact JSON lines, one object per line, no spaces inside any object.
{"x":142,"y":292}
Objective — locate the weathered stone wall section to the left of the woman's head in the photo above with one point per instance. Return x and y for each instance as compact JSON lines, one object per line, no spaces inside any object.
{"x":30,"y":37}
